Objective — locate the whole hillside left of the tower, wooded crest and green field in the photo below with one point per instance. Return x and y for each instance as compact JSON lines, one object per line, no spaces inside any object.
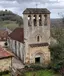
{"x":10,"y":20}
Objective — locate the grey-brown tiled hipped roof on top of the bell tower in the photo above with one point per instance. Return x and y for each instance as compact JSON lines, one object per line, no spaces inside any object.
{"x":36,"y":11}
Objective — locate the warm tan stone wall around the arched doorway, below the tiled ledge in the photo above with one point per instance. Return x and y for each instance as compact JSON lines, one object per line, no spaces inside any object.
{"x":43,"y":51}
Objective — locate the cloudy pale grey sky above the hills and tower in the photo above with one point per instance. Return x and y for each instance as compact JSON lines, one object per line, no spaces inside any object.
{"x":56,"y":7}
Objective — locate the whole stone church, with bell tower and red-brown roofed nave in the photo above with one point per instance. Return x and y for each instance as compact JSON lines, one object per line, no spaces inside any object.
{"x":31,"y":43}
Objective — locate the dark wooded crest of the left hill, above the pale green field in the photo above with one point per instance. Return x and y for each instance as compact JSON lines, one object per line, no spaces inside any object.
{"x":8,"y":15}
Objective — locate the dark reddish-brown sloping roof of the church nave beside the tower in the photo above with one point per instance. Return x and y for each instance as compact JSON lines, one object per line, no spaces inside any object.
{"x":18,"y":35}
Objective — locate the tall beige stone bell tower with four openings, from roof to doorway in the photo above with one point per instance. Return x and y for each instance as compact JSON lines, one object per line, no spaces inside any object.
{"x":36,"y":35}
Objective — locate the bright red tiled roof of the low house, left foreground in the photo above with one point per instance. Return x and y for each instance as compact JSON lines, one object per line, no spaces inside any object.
{"x":4,"y":53}
